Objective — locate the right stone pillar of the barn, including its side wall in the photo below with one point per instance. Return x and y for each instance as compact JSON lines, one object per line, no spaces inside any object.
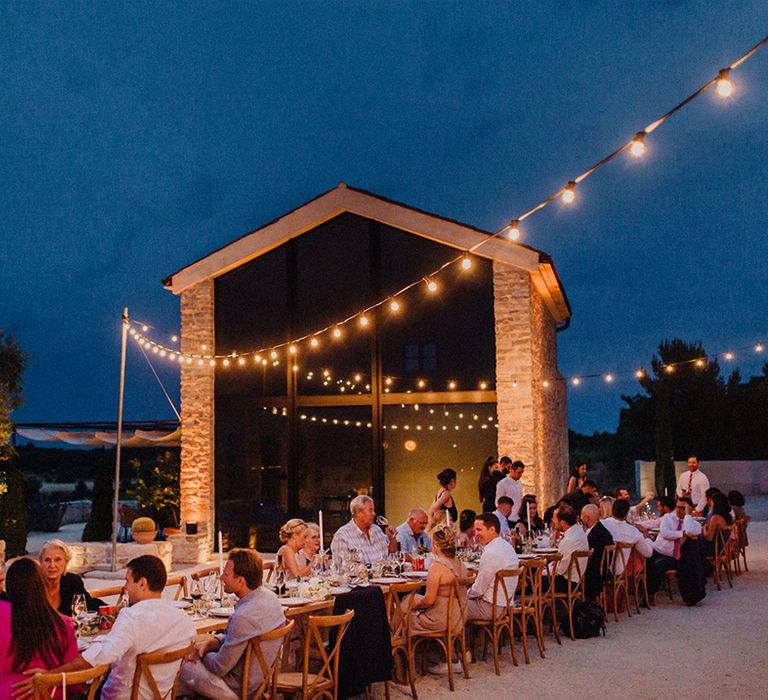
{"x":531,"y":416}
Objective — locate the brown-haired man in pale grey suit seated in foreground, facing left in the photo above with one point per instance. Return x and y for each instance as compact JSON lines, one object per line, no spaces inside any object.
{"x":217,"y":669}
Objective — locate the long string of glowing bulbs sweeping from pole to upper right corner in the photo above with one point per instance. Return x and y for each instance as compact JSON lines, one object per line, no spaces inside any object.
{"x":636,"y":145}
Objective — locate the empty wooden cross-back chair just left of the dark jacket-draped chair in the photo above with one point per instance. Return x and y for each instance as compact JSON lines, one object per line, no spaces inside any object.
{"x":326,"y":681}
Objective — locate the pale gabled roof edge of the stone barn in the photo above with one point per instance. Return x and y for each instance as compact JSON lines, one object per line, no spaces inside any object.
{"x":349,"y":199}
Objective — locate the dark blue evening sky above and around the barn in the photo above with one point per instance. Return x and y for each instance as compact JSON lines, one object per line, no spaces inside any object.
{"x":138,"y":137}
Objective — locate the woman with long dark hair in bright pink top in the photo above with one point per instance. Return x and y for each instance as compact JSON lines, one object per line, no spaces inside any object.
{"x":32,"y":633}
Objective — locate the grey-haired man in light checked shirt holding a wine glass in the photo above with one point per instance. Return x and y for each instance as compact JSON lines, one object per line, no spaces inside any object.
{"x":361,"y":534}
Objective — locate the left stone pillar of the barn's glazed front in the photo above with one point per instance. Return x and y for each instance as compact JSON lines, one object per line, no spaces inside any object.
{"x":197,"y":409}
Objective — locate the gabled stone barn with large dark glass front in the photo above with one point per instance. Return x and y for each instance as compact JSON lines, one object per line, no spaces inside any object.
{"x":293,"y":402}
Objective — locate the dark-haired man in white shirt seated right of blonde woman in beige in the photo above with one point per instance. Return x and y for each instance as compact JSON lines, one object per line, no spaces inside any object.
{"x":497,"y":554}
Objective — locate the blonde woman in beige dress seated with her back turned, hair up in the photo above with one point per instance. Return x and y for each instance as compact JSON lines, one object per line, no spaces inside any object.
{"x":430,"y":611}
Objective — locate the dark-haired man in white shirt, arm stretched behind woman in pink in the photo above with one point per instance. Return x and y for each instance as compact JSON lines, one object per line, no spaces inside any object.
{"x":149,"y":624}
